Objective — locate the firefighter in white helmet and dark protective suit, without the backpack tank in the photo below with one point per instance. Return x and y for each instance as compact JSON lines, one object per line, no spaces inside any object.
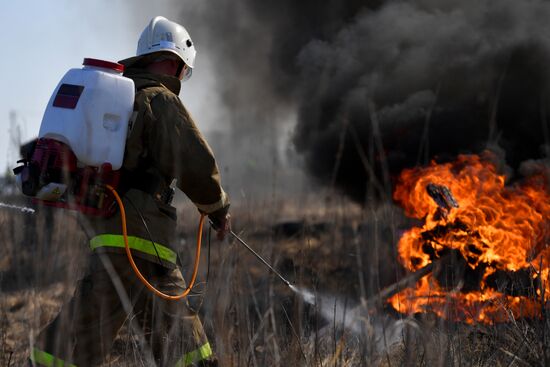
{"x":163,"y":147}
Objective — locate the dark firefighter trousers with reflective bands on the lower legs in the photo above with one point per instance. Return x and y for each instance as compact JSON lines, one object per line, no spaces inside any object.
{"x":160,"y":332}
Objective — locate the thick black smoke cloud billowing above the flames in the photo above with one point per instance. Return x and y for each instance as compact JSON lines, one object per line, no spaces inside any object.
{"x":383,"y":85}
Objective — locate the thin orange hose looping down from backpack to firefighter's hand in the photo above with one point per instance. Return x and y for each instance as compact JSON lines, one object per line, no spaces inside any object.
{"x":134,"y":266}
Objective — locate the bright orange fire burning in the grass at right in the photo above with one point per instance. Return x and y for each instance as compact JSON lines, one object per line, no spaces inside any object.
{"x":495,"y":231}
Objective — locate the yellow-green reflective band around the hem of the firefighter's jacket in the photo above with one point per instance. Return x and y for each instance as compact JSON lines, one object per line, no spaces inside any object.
{"x":135,"y":243}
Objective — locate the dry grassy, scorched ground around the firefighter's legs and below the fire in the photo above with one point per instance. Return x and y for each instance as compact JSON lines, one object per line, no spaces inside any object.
{"x":341,"y":253}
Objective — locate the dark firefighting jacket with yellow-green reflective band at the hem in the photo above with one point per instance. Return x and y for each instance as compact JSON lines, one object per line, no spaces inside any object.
{"x":163,"y":144}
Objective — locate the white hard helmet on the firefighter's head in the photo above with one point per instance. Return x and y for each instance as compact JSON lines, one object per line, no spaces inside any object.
{"x":164,"y":35}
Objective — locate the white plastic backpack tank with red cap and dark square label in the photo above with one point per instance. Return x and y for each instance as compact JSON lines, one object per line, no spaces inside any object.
{"x":89,"y":111}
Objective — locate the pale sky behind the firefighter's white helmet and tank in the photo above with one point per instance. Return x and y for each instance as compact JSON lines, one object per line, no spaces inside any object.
{"x":44,"y":39}
